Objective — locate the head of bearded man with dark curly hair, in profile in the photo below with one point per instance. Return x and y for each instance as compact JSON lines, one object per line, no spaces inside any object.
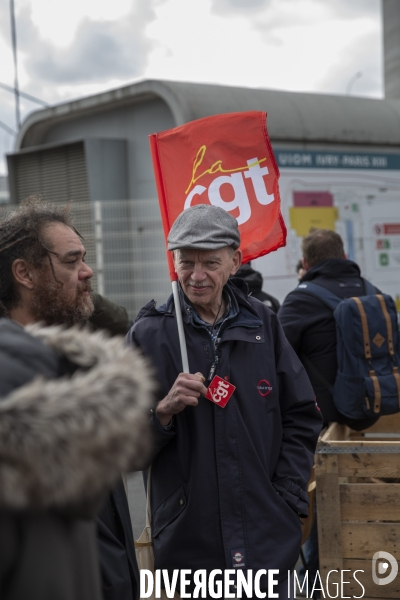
{"x":43,"y":274}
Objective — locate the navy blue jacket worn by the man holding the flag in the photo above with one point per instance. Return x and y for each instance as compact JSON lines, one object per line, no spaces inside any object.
{"x":230,"y":480}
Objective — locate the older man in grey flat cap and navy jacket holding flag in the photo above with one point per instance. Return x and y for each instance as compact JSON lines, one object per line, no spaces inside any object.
{"x":228,"y":484}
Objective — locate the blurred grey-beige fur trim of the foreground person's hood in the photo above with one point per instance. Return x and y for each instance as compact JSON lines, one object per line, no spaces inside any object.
{"x":64,"y":442}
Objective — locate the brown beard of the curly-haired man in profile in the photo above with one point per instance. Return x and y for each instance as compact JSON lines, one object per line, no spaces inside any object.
{"x":51,"y":305}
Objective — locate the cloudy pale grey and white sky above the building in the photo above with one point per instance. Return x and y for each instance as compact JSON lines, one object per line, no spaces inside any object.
{"x":81,"y":47}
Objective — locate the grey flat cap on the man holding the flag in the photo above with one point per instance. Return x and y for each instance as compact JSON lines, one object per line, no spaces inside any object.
{"x":204,"y":227}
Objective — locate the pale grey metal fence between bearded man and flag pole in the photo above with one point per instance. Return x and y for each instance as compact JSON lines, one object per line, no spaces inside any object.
{"x":125,"y":247}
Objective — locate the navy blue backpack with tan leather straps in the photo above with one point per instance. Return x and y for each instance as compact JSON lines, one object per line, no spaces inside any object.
{"x":368,"y":352}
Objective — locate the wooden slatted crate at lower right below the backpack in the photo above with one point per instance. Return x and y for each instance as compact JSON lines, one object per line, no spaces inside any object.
{"x":358,"y":503}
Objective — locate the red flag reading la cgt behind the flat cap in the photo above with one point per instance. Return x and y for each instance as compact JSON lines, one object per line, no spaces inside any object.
{"x":225,"y":160}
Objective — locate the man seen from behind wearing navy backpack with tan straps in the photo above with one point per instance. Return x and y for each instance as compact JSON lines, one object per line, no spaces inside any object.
{"x":344,"y":332}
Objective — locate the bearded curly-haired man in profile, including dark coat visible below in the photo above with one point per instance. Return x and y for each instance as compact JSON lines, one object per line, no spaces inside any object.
{"x":44,"y":278}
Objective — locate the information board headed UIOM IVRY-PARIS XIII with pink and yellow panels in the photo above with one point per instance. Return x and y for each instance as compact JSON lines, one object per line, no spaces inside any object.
{"x":357,"y":195}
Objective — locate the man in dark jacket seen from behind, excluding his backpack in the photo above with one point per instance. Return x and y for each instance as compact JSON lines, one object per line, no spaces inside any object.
{"x":310,"y":327}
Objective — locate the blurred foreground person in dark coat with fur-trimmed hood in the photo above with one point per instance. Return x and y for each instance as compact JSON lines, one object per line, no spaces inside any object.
{"x":63,"y":444}
